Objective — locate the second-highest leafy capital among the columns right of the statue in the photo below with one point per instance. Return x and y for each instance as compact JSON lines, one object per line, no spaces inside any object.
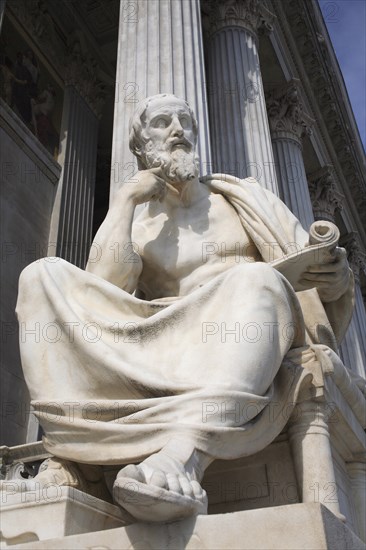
{"x":286,"y":112}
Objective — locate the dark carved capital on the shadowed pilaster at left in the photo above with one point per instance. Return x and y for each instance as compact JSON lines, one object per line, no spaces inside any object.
{"x":84,"y":73}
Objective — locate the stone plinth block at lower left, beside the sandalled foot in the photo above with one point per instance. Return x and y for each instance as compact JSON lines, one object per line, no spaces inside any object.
{"x":54,"y":512}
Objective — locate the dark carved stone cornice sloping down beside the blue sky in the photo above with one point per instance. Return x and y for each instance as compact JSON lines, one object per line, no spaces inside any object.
{"x":317,"y":57}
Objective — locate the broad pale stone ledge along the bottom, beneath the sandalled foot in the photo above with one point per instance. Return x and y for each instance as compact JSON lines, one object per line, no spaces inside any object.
{"x":291,"y":527}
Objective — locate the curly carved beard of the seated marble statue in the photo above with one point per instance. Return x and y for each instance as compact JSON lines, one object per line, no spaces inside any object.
{"x":178,"y":166}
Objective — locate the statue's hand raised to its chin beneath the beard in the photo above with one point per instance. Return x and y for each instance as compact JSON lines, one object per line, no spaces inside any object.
{"x":146,"y":185}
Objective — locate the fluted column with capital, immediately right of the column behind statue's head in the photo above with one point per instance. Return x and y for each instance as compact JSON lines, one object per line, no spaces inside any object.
{"x":240,"y":137}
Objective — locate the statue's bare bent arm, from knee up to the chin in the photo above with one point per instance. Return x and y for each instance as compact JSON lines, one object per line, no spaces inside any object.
{"x":123,"y":268}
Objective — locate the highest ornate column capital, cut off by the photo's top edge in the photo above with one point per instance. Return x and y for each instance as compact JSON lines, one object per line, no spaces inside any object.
{"x":251,"y":15}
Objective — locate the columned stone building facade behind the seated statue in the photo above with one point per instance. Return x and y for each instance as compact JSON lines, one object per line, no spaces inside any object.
{"x":268,"y":93}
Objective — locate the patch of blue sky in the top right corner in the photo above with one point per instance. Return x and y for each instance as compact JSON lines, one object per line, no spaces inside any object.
{"x":346,"y":23}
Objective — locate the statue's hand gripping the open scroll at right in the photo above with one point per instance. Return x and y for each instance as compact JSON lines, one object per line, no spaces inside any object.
{"x":330,"y":279}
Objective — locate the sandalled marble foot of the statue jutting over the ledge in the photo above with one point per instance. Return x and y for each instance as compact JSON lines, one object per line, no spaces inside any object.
{"x":165,"y":486}
